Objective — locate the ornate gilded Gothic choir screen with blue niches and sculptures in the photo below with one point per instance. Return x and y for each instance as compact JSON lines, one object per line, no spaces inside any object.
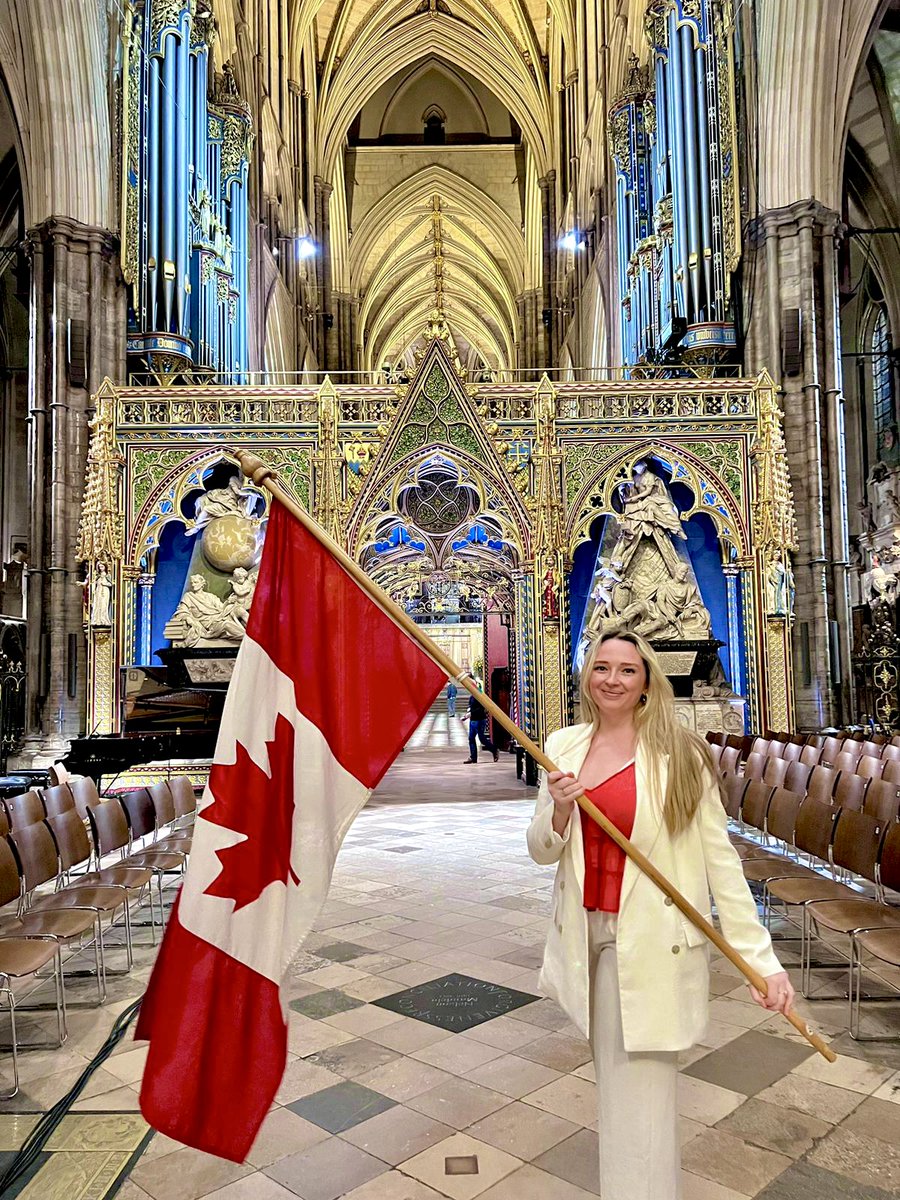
{"x":538,"y":512}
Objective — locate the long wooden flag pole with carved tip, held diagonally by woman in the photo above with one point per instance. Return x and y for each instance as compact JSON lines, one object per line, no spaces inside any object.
{"x":265,"y":477}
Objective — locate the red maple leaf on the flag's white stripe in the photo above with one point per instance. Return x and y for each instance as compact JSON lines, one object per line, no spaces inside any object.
{"x":262,"y":808}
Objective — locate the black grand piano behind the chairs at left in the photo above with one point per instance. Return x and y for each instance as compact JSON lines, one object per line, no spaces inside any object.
{"x":163,"y":721}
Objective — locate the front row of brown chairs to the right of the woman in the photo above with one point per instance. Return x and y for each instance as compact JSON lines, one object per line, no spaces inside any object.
{"x":848,"y":843}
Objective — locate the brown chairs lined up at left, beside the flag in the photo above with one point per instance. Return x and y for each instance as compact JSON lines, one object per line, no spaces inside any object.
{"x":45,"y":844}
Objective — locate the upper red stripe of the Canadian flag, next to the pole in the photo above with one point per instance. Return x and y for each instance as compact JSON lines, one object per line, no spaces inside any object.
{"x":358,"y":677}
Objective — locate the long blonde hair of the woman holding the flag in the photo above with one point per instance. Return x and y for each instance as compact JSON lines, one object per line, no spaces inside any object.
{"x":659,"y":733}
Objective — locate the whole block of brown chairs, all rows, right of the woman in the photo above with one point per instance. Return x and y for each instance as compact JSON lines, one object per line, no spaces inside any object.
{"x":817,"y":825}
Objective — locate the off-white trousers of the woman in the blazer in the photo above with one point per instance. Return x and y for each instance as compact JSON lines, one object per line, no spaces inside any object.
{"x":640,"y":1153}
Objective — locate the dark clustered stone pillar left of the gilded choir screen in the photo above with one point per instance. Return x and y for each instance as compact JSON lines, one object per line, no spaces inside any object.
{"x":75,"y":278}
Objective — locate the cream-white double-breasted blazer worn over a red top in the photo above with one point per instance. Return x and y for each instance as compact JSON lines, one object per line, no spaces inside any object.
{"x":663,"y":958}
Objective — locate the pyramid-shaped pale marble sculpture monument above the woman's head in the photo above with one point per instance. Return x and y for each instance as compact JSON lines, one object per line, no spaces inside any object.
{"x":645,"y":583}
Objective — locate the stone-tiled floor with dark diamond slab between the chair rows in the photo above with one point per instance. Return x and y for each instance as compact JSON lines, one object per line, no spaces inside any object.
{"x":377,"y":1105}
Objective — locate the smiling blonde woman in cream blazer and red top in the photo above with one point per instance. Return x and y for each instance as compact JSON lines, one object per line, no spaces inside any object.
{"x":627,"y":968}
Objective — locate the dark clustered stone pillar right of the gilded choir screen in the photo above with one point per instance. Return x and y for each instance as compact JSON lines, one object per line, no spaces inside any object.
{"x":791,"y":256}
